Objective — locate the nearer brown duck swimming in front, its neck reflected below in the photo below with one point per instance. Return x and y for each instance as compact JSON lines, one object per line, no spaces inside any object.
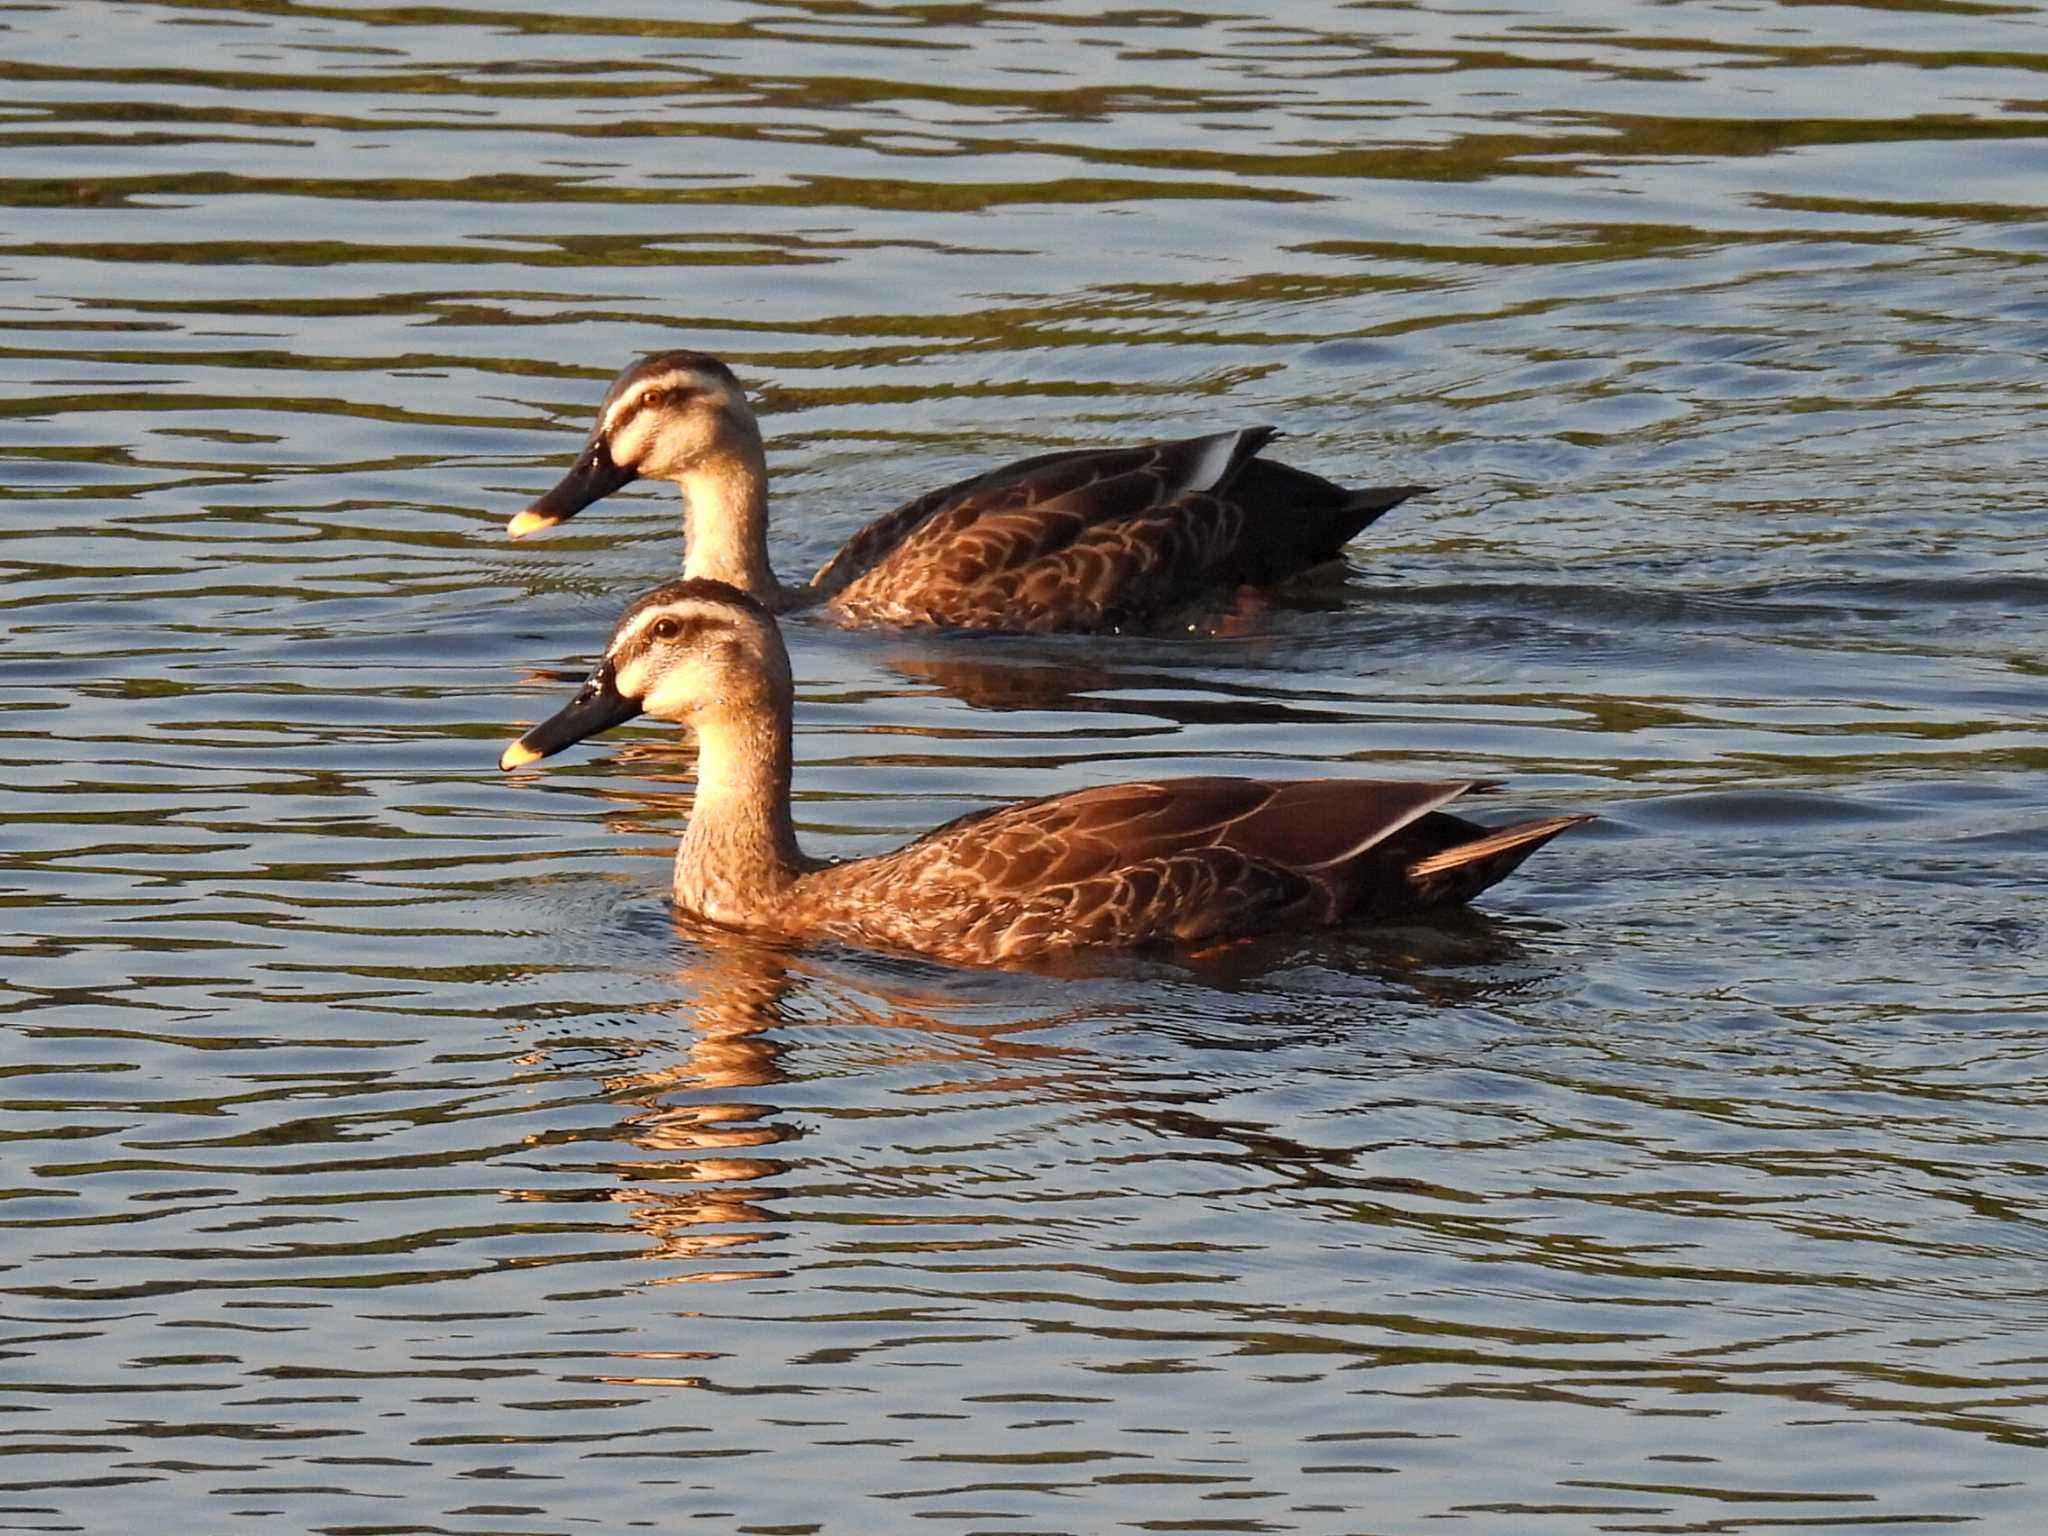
{"x":1142,"y":865}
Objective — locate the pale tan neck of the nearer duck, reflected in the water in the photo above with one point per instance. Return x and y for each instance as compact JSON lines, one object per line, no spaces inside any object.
{"x":740,"y":857}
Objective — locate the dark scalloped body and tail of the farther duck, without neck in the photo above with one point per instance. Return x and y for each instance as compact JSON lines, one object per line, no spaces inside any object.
{"x":1097,"y":540}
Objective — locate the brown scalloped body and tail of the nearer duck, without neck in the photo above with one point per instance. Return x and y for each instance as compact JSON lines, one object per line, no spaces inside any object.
{"x":1179,"y":861}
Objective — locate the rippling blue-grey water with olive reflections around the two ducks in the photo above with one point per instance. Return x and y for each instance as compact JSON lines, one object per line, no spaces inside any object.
{"x":380,"y":1156}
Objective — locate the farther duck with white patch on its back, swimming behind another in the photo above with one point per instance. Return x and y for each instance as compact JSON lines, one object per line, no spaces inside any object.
{"x":1072,"y":542}
